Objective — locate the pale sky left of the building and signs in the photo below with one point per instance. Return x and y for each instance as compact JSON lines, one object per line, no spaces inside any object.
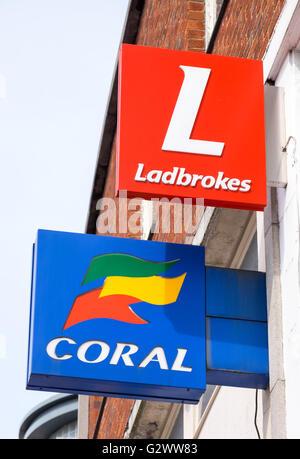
{"x":57,"y":59}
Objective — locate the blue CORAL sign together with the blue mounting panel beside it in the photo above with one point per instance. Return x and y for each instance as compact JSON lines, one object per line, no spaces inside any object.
{"x":141,"y":319}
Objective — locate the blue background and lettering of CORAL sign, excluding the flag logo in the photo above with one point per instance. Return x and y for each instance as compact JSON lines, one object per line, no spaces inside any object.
{"x":175,"y":330}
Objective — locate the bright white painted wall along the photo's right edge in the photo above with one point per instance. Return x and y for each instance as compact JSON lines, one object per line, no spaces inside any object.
{"x":289,"y":225}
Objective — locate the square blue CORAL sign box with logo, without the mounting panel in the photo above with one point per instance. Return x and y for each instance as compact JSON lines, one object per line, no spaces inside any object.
{"x":117,"y":317}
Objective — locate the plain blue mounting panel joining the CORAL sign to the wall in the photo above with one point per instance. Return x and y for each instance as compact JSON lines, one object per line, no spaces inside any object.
{"x":236,"y":327}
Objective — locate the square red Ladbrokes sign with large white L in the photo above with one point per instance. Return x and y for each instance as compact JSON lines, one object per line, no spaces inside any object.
{"x":191,"y":125}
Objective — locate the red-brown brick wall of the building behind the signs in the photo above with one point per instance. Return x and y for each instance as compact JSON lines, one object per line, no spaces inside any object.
{"x":179,"y":24}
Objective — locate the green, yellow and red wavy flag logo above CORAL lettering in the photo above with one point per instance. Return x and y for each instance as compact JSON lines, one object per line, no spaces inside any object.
{"x":128,"y":280}
